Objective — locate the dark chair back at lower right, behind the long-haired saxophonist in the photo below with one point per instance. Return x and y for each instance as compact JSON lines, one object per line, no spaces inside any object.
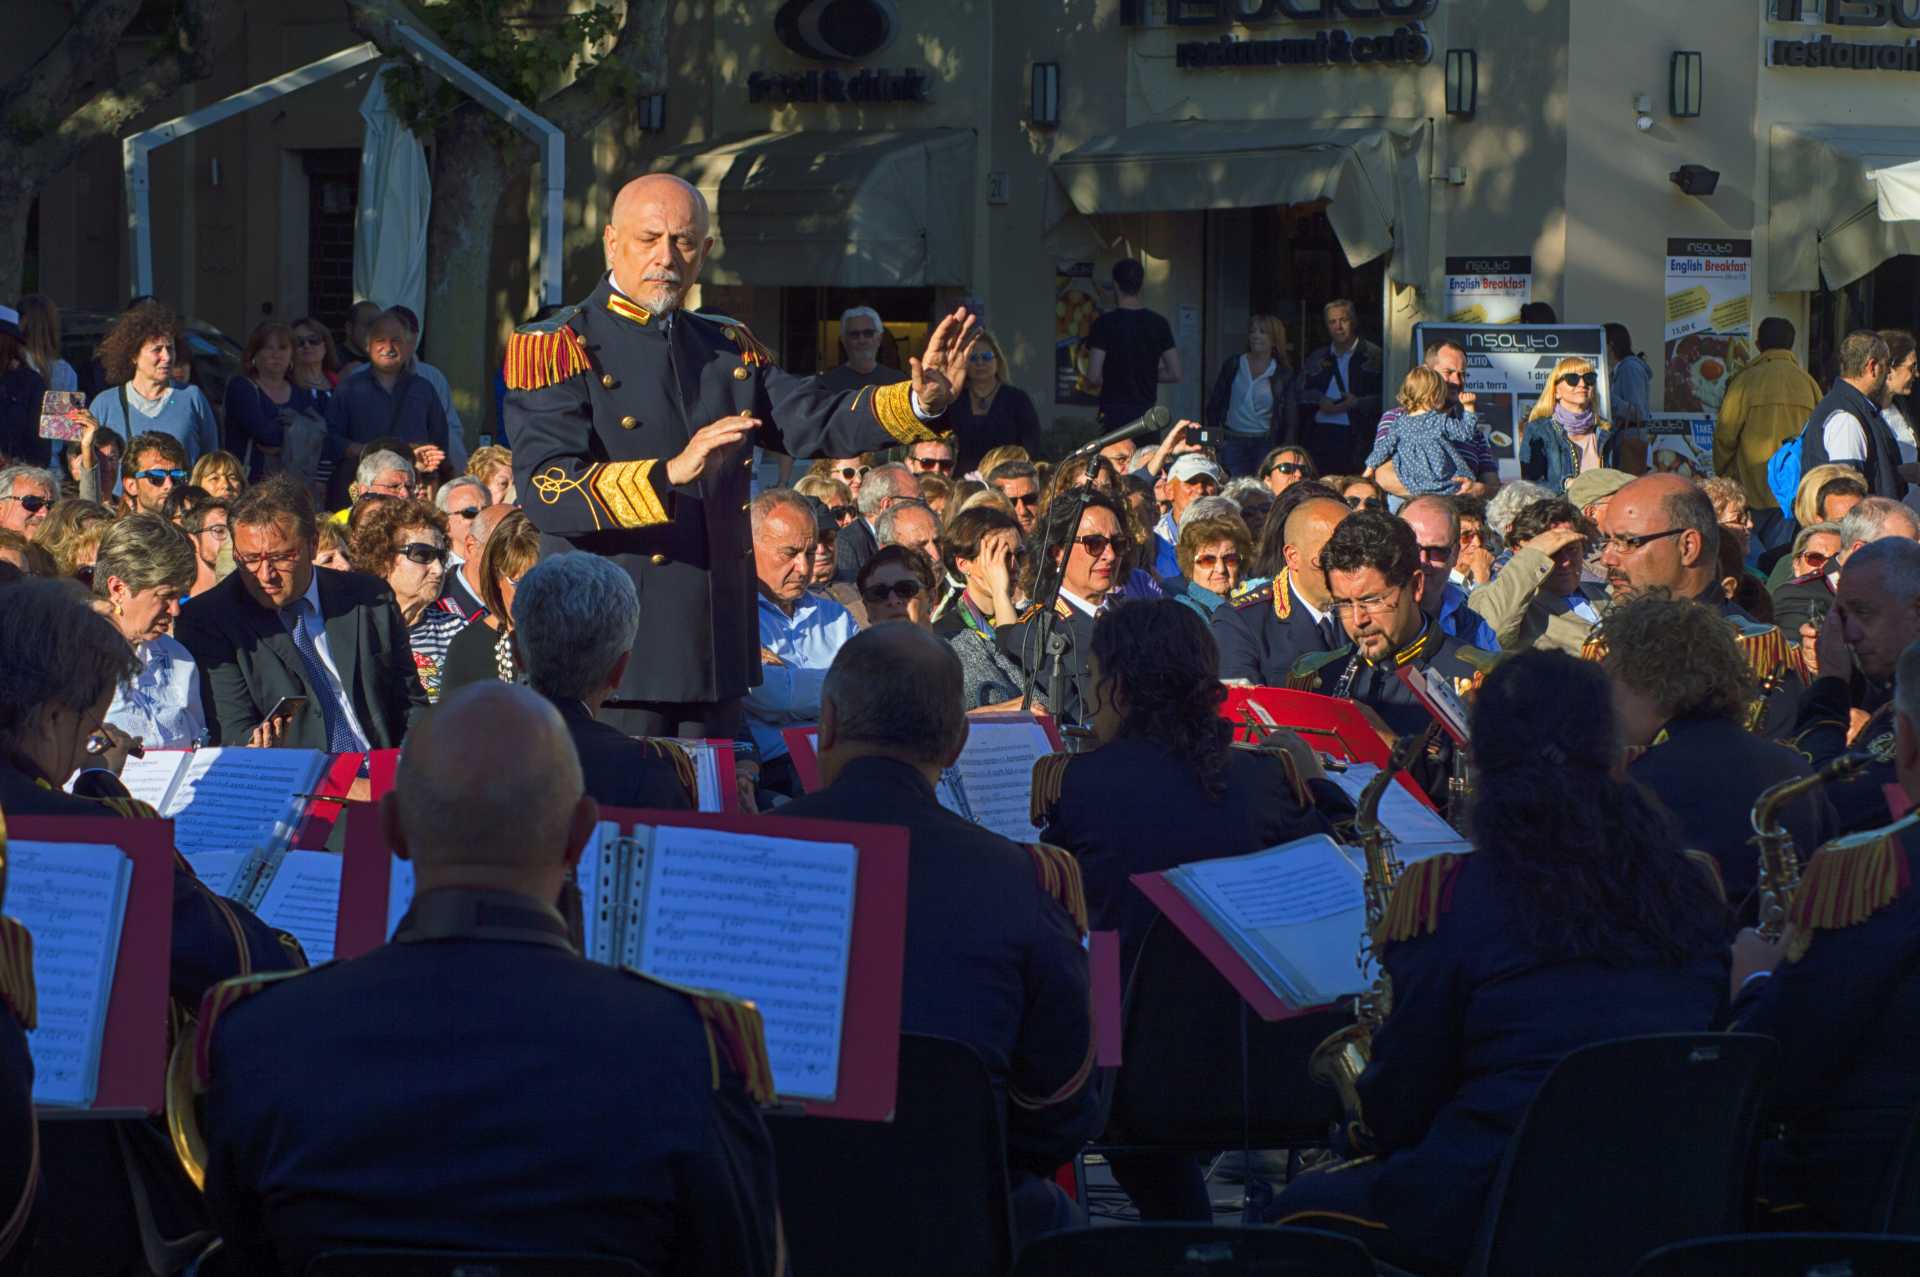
{"x":1627,"y":1147}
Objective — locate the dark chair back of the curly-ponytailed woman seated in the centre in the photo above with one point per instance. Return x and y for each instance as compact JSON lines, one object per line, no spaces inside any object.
{"x":1186,"y":1082}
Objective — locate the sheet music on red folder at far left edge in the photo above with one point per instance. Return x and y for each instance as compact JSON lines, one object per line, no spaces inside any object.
{"x":74,"y":900}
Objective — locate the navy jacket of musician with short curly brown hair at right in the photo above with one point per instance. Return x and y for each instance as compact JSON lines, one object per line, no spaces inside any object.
{"x":1708,"y":773}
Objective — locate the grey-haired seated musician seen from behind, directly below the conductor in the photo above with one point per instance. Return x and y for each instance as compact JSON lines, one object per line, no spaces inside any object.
{"x":575,"y":623}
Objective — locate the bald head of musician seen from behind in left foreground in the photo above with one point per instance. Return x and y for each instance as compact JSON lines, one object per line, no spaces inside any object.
{"x":491,"y":794}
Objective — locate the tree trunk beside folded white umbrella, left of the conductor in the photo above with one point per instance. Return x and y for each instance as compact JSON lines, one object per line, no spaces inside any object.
{"x":471,"y":157}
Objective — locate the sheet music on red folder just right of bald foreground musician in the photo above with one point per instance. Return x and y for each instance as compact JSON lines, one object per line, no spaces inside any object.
{"x":763,"y":919}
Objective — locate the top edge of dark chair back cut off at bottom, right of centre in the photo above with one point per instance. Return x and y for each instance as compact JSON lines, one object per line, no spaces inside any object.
{"x":1193,"y":1251}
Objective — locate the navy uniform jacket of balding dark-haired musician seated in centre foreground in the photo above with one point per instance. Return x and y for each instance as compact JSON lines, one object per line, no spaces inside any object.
{"x":994,"y":955}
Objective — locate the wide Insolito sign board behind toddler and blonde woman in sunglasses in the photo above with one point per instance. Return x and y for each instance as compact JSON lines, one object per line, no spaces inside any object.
{"x":1510,"y":368}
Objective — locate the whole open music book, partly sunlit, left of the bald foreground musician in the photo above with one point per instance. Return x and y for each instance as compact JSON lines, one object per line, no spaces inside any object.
{"x":228,"y":804}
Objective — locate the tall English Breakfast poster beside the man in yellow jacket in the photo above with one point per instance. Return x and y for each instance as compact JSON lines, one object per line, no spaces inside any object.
{"x":1710,"y":320}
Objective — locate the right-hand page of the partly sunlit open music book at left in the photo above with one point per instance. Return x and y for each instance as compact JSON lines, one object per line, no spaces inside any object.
{"x":241,"y":800}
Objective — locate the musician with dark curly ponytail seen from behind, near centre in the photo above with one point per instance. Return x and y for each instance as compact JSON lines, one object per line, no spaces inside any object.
{"x":1164,"y":786}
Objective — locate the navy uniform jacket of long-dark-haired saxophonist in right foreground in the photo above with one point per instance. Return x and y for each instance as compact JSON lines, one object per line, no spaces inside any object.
{"x":1479,"y":1023}
